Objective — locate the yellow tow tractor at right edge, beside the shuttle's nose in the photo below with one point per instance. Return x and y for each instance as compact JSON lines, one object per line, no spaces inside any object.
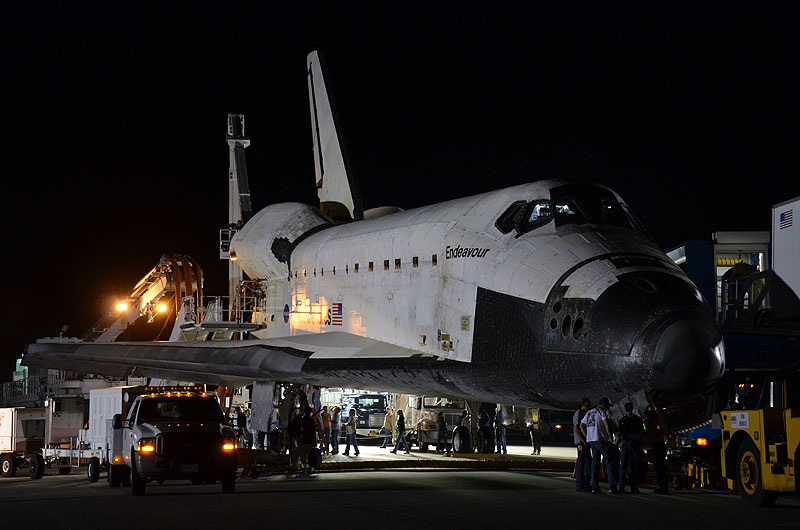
{"x":761,"y":447}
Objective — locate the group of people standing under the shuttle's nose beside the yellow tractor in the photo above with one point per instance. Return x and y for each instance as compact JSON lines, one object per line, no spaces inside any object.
{"x":618,"y":448}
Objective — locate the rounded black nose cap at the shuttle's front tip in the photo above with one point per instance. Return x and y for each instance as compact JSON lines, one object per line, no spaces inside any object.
{"x":689,"y":356}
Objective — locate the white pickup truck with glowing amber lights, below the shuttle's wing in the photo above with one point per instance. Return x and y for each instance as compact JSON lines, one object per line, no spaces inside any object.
{"x":173,"y":434}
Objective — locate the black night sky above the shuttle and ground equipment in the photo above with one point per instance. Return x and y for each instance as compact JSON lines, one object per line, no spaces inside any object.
{"x":114,"y":119}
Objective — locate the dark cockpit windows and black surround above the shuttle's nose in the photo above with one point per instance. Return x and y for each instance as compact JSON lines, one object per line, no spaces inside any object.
{"x":568,"y":204}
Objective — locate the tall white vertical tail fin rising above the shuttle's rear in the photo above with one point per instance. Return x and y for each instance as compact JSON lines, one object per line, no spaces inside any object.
{"x":338,"y":193}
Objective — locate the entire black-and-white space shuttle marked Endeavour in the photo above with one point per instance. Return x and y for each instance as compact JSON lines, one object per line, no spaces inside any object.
{"x":534,"y":295}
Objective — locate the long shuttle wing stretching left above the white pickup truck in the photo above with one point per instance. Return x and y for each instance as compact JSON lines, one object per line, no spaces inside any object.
{"x":233,"y":363}
